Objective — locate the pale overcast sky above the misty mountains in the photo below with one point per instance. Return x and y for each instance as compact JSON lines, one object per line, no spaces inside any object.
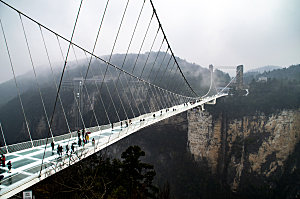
{"x":254,"y":33}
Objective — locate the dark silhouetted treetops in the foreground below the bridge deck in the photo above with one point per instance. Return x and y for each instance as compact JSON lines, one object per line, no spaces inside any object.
{"x":97,"y":177}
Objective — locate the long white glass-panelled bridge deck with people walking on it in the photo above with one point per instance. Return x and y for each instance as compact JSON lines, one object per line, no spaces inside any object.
{"x":26,"y":164}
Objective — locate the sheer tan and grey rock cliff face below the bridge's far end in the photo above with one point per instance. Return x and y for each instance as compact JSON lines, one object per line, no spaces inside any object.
{"x":258,"y":145}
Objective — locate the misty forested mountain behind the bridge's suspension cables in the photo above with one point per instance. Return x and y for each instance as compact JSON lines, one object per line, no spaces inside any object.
{"x":12,"y":117}
